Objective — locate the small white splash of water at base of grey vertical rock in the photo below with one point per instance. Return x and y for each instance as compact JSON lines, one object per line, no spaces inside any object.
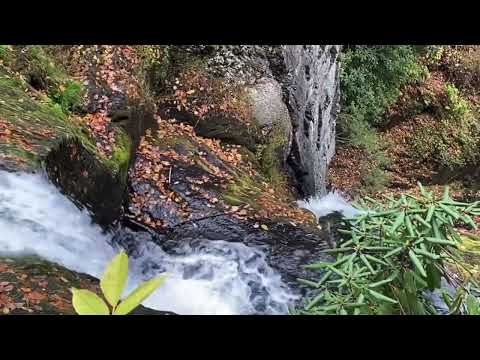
{"x":332,"y":202}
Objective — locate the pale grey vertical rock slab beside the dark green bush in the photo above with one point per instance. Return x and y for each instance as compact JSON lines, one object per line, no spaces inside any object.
{"x":313,"y":96}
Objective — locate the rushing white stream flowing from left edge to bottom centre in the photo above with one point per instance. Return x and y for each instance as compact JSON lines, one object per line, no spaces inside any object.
{"x":215,"y":277}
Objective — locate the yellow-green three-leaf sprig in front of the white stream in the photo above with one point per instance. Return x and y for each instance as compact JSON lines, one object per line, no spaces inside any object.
{"x":112,"y":284}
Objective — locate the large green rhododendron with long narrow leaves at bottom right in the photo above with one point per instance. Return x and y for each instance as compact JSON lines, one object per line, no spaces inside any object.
{"x":390,"y":256}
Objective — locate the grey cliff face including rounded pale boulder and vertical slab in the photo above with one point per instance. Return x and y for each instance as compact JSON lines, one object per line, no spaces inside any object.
{"x":304,"y":78}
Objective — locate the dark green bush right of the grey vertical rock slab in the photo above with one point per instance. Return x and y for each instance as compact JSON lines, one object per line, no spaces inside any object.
{"x":371,"y":81}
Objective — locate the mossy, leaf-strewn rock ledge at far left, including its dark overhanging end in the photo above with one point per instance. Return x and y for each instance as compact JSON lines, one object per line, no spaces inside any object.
{"x":43,"y":125}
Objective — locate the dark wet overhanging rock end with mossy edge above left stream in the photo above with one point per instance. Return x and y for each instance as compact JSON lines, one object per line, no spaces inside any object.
{"x":99,"y":183}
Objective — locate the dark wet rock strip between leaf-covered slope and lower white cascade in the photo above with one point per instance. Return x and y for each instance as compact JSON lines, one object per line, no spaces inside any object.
{"x":287,"y":247}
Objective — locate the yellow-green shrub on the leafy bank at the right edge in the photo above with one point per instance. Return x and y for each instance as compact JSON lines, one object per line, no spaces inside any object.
{"x":453,"y":141}
